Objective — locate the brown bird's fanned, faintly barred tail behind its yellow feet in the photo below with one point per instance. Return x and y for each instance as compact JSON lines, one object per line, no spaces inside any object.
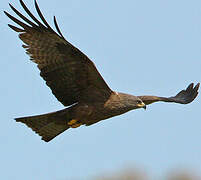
{"x":47,"y":125}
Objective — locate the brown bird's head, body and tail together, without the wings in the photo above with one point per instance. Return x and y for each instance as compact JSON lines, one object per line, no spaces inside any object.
{"x":87,"y":113}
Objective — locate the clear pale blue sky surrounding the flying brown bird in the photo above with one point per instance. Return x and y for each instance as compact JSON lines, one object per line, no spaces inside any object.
{"x":140,"y":47}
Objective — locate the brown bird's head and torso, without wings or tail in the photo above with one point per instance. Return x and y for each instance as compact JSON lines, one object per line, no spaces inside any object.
{"x":92,"y":112}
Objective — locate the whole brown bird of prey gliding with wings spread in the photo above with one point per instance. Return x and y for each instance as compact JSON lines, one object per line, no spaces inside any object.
{"x":74,"y":80}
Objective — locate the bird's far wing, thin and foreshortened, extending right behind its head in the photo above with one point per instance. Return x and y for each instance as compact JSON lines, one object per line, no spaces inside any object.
{"x":183,"y":97}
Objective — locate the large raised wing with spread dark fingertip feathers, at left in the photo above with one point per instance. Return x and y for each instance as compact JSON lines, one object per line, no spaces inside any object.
{"x":69,"y":73}
